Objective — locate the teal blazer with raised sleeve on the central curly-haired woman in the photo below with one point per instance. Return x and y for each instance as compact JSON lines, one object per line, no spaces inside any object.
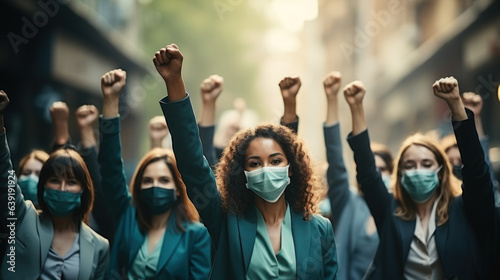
{"x":234,"y":236}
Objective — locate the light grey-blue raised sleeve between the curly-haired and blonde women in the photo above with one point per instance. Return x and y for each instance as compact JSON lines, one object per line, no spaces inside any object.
{"x":337,"y":177}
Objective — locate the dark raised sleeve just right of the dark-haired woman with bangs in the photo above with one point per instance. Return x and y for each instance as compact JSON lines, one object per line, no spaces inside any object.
{"x":100,"y":211}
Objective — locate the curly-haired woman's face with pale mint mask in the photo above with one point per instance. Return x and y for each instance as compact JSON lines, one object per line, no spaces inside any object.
{"x":266,"y":169}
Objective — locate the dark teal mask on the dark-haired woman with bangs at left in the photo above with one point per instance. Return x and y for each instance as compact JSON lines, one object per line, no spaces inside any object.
{"x":61,"y":203}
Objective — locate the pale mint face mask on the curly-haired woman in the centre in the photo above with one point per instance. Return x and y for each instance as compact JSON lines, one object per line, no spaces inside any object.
{"x":268,"y":182}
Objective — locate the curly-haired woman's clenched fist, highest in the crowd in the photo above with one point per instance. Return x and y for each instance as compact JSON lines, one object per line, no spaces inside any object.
{"x":168,"y":62}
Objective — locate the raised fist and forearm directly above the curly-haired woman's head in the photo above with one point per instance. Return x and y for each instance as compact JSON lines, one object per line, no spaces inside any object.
{"x":289,"y":87}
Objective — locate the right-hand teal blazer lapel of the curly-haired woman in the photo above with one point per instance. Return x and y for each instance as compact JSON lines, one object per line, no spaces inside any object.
{"x":301,"y":231}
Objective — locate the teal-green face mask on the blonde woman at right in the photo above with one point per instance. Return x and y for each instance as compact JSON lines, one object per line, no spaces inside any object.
{"x":420,"y":184}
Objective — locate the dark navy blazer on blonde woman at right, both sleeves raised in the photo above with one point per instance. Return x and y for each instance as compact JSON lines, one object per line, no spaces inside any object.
{"x":464,"y":243}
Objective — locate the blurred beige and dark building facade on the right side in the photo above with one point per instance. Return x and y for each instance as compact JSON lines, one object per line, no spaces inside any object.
{"x":400,"y":48}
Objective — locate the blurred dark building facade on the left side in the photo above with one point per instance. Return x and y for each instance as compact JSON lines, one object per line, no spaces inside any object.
{"x":57,"y":51}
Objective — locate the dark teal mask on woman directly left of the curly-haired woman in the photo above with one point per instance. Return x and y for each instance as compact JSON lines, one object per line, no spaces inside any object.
{"x":158,"y":200}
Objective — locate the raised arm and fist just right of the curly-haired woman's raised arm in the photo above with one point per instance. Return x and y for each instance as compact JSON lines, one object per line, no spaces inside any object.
{"x":210,"y":89}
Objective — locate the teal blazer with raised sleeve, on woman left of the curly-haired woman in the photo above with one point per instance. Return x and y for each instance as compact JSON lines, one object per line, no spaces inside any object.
{"x":184,"y":255}
